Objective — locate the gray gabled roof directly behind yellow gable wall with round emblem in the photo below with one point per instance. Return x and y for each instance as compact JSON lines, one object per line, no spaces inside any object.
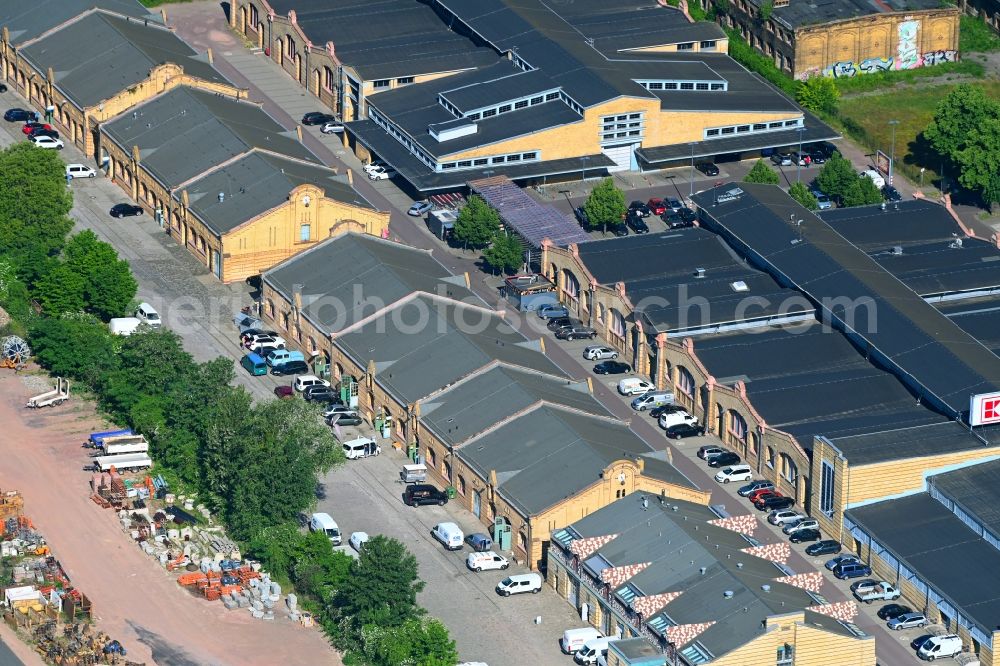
{"x":257,"y":183}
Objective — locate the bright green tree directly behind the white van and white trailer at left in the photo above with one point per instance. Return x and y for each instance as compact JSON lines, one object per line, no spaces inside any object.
{"x":109,"y":284}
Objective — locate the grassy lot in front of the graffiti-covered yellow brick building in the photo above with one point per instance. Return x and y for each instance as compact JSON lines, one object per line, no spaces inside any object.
{"x":864,"y":119}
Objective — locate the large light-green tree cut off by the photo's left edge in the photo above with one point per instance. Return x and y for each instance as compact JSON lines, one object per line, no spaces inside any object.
{"x":34,"y":206}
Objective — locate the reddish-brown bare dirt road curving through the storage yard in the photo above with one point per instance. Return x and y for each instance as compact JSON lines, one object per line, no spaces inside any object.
{"x":135,"y":600}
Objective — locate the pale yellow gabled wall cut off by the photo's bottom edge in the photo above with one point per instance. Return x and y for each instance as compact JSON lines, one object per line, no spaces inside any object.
{"x":813,"y":646}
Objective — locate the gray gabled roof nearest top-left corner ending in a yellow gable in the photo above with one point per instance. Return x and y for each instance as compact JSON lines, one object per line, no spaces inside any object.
{"x":101,"y":55}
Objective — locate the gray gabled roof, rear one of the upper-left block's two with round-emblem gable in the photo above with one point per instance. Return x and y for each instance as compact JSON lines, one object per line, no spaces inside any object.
{"x":184,"y":132}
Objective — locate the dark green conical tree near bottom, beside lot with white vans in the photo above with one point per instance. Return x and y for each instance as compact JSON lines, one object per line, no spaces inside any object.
{"x":383,"y":585}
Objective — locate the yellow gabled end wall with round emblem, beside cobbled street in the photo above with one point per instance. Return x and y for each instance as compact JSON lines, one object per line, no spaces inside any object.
{"x":267,"y":240}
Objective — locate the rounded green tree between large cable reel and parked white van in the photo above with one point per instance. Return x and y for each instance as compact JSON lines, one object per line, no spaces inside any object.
{"x":78,"y":347}
